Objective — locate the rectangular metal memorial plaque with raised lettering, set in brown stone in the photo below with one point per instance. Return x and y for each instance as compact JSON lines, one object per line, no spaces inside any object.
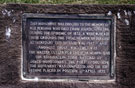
{"x":65,"y":46}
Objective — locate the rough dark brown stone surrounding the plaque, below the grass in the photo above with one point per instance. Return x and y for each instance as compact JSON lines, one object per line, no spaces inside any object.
{"x":10,"y":48}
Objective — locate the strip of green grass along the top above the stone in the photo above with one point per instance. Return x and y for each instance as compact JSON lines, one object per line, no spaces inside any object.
{"x":70,"y":1}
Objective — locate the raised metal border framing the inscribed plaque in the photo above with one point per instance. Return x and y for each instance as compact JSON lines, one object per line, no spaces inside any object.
{"x":110,"y":78}
